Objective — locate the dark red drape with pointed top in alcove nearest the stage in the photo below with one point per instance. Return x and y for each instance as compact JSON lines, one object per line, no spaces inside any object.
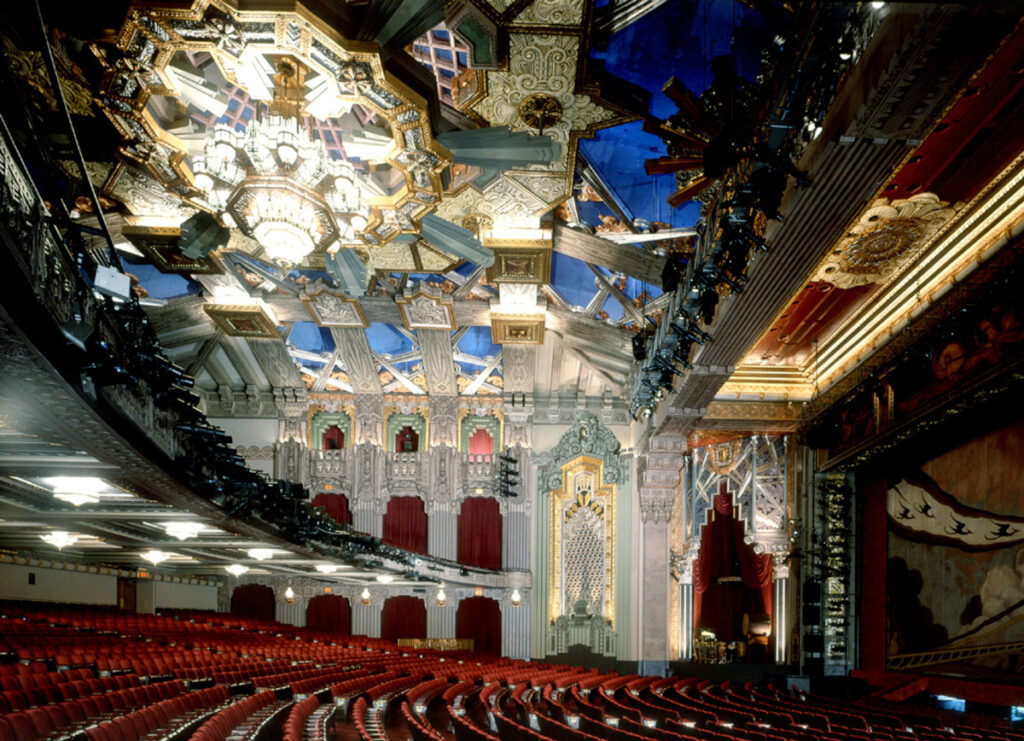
{"x":720,"y":606}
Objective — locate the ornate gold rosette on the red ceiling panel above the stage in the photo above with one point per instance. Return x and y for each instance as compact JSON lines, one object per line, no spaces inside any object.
{"x":884,"y":239}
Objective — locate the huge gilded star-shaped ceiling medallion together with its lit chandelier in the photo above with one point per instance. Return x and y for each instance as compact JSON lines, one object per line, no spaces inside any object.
{"x":364,"y":180}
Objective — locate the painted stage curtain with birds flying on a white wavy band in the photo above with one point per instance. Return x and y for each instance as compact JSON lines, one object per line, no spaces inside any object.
{"x":956,"y":569}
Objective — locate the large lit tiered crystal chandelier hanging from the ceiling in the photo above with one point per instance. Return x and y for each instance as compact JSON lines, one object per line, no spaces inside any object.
{"x":279,"y":186}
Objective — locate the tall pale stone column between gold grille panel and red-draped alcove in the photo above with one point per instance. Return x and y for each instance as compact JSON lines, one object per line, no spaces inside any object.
{"x":659,"y":476}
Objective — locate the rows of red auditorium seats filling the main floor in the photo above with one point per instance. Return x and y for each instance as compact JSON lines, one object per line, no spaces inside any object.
{"x":101,"y":675}
